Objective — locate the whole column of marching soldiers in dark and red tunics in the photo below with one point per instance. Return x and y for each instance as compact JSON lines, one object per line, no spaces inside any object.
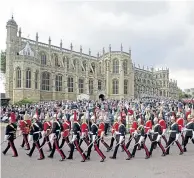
{"x":75,"y":131}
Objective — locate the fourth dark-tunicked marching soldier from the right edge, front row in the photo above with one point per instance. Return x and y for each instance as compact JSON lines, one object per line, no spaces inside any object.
{"x":139,"y":137}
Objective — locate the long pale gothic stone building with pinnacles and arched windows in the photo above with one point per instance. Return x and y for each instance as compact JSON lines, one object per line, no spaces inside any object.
{"x":43,"y":72}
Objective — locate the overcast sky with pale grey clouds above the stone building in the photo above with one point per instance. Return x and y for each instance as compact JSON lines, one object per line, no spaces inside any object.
{"x":160,"y":34}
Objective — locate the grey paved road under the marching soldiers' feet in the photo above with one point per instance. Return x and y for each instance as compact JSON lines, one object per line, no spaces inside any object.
{"x":170,"y":166}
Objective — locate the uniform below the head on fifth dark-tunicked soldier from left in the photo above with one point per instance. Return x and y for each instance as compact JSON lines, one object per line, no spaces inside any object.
{"x":94,"y":139}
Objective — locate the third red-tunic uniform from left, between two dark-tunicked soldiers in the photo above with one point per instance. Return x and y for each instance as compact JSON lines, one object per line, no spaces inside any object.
{"x":65,"y":135}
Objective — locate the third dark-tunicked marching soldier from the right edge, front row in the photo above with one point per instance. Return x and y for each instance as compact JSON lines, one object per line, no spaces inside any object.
{"x":157,"y":134}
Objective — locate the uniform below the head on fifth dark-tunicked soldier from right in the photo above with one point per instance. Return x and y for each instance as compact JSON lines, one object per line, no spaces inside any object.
{"x":120,"y":138}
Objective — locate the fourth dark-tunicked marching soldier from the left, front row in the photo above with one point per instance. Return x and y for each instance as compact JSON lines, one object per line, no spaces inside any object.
{"x":75,"y":140}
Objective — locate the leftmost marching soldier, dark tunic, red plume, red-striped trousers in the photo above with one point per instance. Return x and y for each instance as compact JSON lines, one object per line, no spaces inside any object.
{"x":10,"y":135}
